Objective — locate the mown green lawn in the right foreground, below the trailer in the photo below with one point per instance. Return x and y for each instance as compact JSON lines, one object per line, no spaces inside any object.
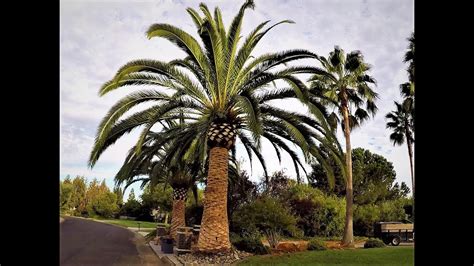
{"x":373,"y":256}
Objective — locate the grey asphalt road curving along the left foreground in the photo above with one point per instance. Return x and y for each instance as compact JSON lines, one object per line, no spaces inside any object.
{"x":85,"y":242}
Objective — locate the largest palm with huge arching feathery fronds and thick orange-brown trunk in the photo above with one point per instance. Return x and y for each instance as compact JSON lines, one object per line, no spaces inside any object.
{"x":222,"y":94}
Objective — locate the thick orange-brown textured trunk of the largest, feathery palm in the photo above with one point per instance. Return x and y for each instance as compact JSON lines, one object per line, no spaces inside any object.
{"x":214,"y":234}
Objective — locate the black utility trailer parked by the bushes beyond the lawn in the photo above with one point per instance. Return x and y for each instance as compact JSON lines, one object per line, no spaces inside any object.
{"x":394,"y":232}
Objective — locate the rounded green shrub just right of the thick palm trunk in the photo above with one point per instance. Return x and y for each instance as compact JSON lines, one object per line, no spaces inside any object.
{"x":267,"y":216}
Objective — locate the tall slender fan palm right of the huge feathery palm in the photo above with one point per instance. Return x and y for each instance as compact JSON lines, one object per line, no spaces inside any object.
{"x":343,"y":83}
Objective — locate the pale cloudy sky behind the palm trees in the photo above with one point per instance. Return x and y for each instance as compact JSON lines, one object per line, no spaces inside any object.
{"x":97,"y":37}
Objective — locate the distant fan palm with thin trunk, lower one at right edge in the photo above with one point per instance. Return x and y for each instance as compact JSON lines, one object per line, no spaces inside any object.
{"x":401,"y":123}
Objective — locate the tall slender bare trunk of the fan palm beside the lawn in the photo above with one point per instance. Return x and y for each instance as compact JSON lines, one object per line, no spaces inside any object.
{"x":348,"y":238}
